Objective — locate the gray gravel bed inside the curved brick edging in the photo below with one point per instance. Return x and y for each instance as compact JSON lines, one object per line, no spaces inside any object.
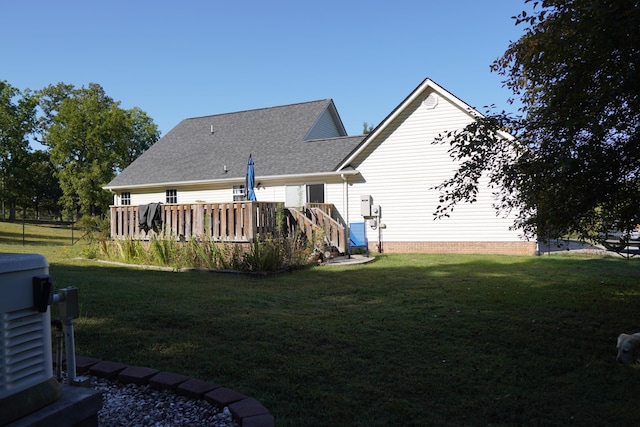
{"x":136,"y":405}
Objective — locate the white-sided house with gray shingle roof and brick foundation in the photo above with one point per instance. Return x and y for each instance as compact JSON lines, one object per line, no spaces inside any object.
{"x":303,"y":155}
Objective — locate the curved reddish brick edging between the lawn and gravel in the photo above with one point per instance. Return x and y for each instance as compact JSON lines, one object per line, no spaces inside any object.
{"x":247,"y":412}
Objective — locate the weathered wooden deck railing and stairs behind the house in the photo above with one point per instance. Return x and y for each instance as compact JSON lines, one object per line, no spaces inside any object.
{"x":228,"y":222}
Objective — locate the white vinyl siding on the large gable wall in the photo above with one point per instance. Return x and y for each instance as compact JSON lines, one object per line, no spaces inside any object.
{"x":402,"y":168}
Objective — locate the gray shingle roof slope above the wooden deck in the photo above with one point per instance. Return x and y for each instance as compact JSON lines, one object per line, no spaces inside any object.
{"x":273,"y":136}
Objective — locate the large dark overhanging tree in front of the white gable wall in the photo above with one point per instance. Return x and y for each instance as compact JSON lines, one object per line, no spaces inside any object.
{"x":573,"y":165}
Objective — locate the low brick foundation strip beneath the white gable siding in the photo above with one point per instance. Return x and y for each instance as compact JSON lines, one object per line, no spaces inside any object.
{"x":497,"y":248}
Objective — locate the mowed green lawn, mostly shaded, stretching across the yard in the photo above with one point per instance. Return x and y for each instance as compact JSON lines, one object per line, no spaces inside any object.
{"x":406,"y":340}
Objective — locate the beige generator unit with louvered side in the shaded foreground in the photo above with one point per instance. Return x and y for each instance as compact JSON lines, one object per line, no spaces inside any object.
{"x":26,"y":372}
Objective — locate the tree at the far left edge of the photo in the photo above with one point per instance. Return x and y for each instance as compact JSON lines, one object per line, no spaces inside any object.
{"x":17,"y":121}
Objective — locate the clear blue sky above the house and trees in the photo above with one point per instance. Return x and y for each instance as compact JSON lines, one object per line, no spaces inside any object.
{"x":192,"y":58}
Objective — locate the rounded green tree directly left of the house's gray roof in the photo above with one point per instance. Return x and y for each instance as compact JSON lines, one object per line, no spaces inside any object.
{"x":90,"y":139}
